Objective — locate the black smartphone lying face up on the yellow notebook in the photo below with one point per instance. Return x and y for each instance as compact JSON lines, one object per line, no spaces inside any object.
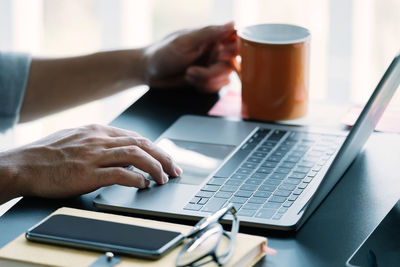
{"x":92,"y":234}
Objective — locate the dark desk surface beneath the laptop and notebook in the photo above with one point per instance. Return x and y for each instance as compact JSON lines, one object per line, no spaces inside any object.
{"x":351,"y":211}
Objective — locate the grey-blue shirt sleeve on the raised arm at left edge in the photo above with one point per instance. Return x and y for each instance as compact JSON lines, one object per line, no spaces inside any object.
{"x":14,"y":71}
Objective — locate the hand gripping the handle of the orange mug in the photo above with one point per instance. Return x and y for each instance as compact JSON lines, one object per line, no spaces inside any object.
{"x":200,"y":58}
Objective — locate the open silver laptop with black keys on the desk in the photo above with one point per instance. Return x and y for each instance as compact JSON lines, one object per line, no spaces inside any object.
{"x":275,"y":175}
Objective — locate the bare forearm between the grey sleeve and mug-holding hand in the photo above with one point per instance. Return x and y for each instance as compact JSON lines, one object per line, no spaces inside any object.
{"x":57,"y":84}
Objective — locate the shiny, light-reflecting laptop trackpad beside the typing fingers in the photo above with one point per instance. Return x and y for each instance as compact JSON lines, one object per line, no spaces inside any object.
{"x":196,"y":159}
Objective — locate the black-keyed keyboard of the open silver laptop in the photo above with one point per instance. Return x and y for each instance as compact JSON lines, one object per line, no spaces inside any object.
{"x":267,"y":174}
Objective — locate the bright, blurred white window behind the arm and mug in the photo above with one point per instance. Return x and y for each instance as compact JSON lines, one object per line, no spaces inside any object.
{"x":352,"y":41}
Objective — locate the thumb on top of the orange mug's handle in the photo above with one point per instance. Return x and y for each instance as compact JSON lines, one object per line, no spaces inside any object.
{"x":212,"y":34}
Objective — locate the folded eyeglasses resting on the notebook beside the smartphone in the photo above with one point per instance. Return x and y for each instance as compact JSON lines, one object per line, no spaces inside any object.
{"x":206,"y":237}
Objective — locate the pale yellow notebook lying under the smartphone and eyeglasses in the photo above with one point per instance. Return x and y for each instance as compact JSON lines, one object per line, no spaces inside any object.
{"x":21,"y":252}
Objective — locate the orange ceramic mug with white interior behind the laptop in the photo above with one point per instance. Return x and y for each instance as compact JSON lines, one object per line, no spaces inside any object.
{"x":274,"y":71}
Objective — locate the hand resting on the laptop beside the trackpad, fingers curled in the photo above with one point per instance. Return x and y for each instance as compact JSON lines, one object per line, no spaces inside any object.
{"x":77,"y":161}
